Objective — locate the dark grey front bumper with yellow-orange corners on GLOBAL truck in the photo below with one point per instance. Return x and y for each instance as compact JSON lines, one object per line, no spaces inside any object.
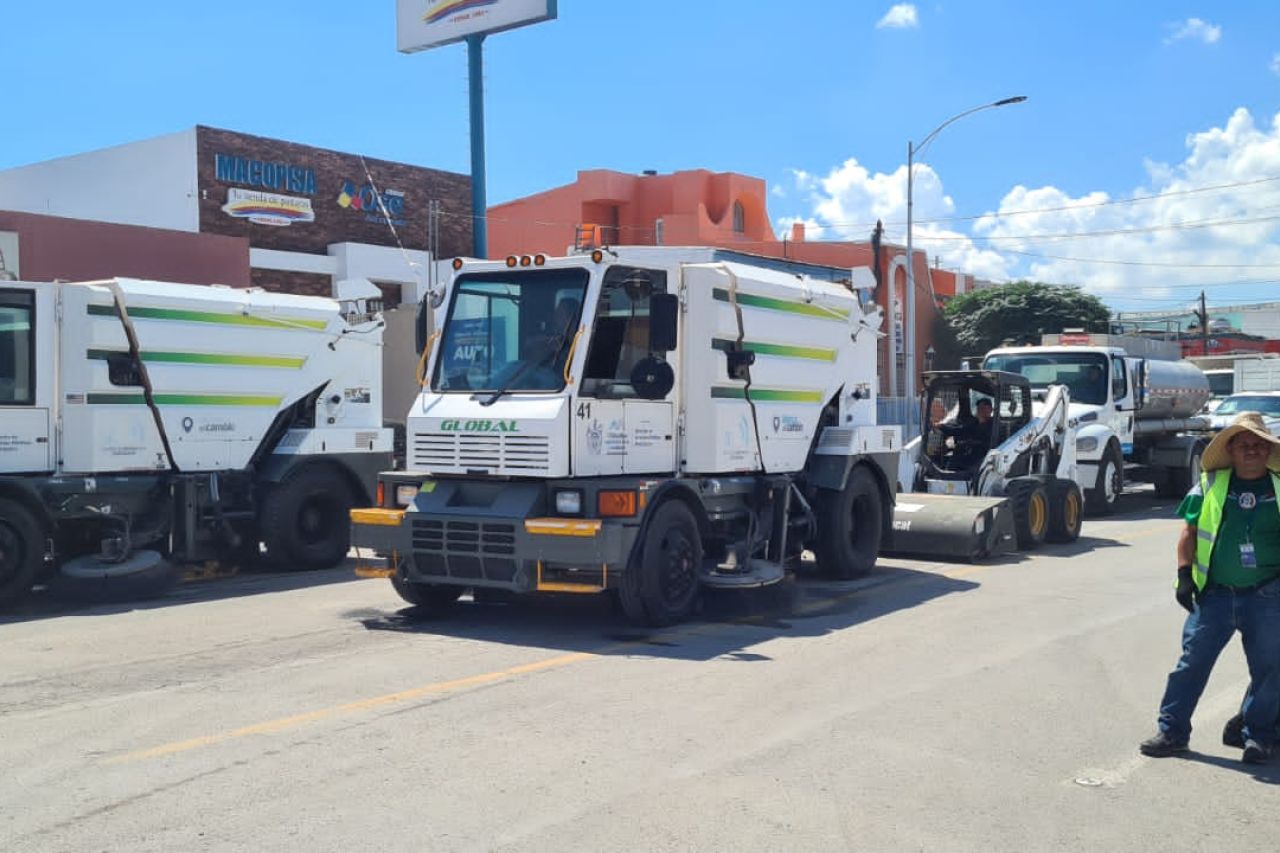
{"x":508,"y":545}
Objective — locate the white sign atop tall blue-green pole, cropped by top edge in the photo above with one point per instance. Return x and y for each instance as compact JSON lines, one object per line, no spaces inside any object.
{"x":429,"y":24}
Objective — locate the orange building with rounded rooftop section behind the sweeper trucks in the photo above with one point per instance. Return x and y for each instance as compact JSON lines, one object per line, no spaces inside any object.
{"x":701,"y":208}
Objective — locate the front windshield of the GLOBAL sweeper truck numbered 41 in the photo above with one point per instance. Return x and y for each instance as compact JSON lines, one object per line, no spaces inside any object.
{"x":510,"y":331}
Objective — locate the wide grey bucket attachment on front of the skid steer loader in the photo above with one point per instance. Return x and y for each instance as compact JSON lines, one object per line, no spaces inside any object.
{"x":952,"y":528}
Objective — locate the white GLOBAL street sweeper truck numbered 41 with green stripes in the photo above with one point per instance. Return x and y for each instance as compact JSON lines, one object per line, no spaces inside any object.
{"x":643,"y":421}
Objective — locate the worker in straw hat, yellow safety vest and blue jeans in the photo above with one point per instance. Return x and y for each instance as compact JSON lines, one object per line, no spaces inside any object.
{"x":1229,"y":581}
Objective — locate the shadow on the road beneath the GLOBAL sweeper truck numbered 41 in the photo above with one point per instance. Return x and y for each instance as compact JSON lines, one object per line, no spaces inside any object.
{"x":728,"y":624}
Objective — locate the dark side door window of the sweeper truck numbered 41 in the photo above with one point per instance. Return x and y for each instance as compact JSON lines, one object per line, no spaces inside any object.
{"x":620,"y":331}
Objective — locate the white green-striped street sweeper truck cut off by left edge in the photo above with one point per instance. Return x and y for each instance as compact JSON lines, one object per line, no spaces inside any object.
{"x":147,"y":425}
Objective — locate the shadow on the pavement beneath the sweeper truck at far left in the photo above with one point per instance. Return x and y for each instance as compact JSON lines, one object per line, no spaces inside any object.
{"x":44,"y":605}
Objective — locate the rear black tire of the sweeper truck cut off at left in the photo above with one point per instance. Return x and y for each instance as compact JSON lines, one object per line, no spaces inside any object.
{"x":305,"y":519}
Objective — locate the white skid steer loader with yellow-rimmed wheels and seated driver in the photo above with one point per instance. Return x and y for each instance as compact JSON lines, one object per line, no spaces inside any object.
{"x":989,"y":483}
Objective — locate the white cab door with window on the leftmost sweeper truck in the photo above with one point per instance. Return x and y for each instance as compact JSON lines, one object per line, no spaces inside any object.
{"x":26,"y":378}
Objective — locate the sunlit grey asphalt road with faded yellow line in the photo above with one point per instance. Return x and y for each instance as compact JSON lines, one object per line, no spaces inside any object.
{"x":930,"y":706}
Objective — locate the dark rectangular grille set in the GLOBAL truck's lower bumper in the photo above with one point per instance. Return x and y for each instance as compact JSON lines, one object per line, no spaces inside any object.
{"x":473,"y":550}
